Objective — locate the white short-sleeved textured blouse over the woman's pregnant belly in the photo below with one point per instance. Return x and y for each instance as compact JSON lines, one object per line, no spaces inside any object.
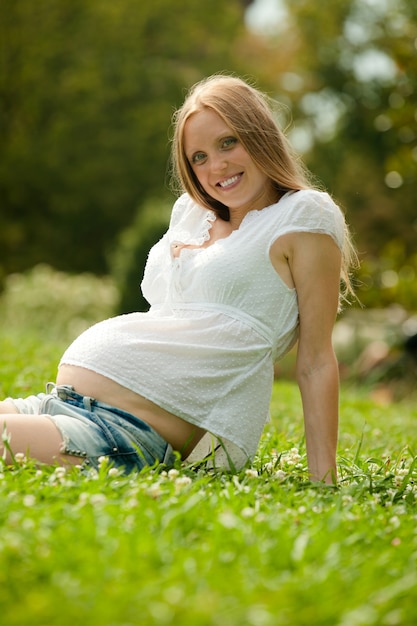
{"x":219,"y":317}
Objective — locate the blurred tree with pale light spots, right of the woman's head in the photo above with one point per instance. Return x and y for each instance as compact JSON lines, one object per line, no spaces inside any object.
{"x":351,"y":84}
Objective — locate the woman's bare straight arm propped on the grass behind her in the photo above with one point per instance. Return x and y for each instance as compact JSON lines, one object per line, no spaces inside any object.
{"x":314,"y":261}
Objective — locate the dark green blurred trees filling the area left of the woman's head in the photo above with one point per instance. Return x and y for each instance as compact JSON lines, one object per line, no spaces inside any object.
{"x":87,"y":89}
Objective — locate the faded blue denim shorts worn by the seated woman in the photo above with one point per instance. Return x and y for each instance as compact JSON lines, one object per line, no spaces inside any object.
{"x":91,"y":429}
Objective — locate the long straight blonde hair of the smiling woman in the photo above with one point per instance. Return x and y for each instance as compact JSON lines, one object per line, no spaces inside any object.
{"x":249,"y":114}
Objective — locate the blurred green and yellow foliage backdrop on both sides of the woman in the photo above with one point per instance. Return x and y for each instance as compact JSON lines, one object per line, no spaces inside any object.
{"x":87,"y":89}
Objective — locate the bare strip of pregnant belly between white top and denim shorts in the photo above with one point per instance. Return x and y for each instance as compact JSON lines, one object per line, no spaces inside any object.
{"x":182,"y":435}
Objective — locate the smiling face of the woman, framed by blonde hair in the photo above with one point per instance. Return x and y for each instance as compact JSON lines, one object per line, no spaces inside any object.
{"x":222,"y":165}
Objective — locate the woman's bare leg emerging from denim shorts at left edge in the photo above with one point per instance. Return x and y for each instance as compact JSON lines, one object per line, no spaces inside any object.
{"x":36,"y":436}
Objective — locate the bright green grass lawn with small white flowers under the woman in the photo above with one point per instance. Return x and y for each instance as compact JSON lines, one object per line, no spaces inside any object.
{"x":261,"y":548}
